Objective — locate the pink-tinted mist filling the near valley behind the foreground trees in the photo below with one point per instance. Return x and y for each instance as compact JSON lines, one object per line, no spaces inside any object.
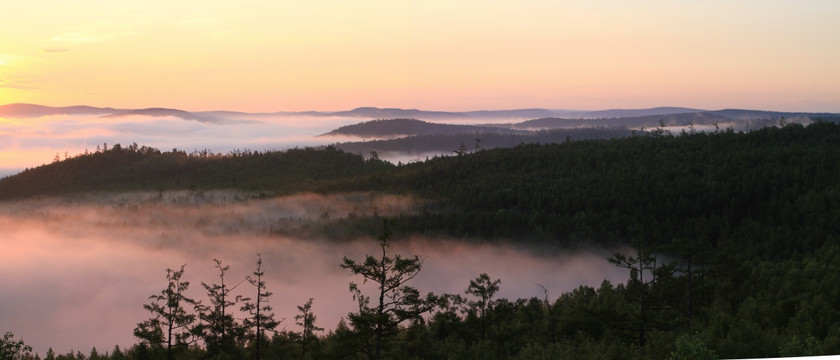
{"x":76,"y":271}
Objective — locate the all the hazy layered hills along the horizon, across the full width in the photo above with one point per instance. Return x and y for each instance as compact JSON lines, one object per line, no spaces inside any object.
{"x":416,"y":133}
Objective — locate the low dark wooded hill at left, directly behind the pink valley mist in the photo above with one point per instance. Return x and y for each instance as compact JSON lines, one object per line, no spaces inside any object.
{"x":134,"y":168}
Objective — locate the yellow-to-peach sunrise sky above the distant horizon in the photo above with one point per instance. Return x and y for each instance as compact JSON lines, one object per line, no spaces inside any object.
{"x":455,"y":55}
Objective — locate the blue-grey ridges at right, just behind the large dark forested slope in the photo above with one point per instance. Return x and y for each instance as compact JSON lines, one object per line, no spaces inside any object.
{"x":420,"y":138}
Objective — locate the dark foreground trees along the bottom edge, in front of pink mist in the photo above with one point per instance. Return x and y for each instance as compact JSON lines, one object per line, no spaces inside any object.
{"x":781,"y":309}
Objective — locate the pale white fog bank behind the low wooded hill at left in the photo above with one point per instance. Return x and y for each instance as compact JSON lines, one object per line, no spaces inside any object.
{"x":31,"y":142}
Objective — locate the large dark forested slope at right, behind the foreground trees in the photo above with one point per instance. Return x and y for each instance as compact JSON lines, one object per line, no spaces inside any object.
{"x":761,"y":188}
